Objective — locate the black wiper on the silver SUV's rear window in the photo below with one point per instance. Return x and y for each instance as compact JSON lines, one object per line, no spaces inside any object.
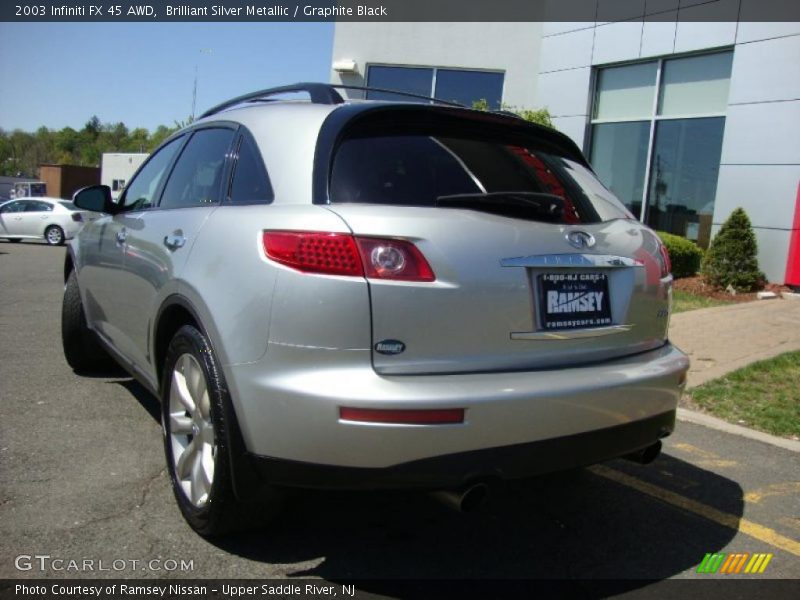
{"x":536,"y":206}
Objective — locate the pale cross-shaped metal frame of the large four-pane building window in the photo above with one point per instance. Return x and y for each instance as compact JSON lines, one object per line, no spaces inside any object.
{"x":653,"y":118}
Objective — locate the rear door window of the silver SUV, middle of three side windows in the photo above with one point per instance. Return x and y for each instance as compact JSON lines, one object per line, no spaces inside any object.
{"x":197,"y":177}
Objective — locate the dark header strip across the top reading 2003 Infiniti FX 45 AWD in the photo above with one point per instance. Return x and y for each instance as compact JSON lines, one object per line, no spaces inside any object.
{"x":589,"y":11}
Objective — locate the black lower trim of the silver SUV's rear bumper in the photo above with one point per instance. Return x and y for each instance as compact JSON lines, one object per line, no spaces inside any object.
{"x":457,"y":470}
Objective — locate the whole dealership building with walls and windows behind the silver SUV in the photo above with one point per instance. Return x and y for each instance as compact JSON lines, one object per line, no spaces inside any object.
{"x":683,"y":120}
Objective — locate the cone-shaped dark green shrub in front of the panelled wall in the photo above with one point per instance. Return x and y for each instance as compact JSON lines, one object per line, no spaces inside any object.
{"x":732,"y":258}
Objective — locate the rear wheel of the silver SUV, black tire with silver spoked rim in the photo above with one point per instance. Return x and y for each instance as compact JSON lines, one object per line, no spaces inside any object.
{"x":195,"y":402}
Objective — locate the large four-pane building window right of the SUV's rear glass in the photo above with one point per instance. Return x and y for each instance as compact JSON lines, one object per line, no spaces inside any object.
{"x":679,"y":190}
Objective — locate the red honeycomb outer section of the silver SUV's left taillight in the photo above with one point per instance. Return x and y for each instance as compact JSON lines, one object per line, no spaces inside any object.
{"x":316,"y":252}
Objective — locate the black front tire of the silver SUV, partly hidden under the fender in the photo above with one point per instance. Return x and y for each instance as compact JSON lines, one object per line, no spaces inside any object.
{"x":82,"y":349}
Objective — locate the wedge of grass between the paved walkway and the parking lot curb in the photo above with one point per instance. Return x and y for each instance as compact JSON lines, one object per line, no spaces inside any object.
{"x":764,"y":395}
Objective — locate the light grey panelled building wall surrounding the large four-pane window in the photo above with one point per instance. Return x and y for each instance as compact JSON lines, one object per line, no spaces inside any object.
{"x":760,"y":163}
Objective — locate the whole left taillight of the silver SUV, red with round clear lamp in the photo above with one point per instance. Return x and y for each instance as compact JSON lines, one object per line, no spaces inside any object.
{"x":344,"y":254}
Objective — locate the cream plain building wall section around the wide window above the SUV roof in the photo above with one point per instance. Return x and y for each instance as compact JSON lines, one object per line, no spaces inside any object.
{"x":509,"y":47}
